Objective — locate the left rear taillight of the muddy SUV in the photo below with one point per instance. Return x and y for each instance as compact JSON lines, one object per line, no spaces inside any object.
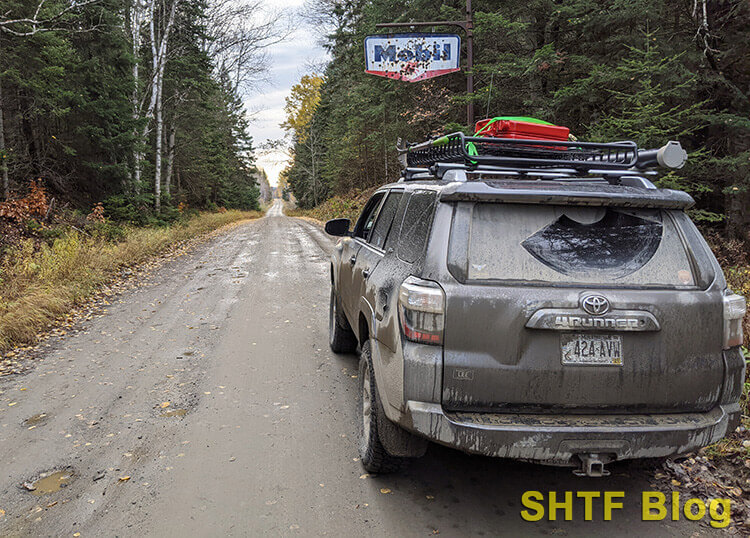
{"x":421,"y":306}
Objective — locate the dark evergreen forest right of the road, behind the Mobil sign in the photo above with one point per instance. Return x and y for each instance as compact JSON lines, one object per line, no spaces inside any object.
{"x":642,"y":70}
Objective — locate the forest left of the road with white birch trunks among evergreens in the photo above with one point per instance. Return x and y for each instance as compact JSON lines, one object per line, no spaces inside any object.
{"x":134,"y":104}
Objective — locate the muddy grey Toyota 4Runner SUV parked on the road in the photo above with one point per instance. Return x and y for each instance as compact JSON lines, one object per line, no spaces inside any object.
{"x":568,"y":314}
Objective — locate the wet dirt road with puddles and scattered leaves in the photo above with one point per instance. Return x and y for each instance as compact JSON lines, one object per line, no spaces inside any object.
{"x":213,"y":389}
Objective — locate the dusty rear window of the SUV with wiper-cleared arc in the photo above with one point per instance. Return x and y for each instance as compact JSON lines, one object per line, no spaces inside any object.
{"x":566,"y":244}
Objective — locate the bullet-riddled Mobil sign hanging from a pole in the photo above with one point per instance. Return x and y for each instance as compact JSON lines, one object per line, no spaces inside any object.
{"x":412,"y":57}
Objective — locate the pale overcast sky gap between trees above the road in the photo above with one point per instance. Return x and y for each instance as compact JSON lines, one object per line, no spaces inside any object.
{"x":289,"y":61}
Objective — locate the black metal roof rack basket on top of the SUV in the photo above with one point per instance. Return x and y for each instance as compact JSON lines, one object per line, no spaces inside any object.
{"x":534,"y":158}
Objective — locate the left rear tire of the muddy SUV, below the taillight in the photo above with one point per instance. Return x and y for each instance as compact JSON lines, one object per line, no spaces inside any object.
{"x":375,"y":458}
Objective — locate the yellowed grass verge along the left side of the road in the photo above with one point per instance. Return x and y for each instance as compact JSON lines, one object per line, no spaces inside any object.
{"x":42,"y":283}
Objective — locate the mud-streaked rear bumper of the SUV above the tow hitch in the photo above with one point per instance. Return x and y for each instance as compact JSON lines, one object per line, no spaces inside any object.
{"x":556,"y":439}
